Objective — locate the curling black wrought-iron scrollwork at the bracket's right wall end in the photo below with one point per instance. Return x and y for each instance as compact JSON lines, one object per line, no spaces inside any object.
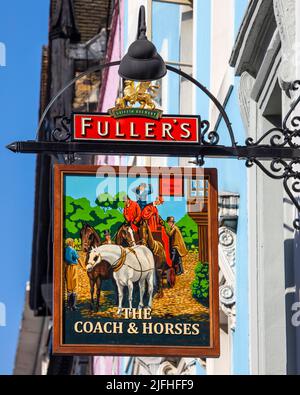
{"x":282,"y":169}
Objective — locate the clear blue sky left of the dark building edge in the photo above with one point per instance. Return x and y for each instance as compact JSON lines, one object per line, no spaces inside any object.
{"x":23,"y":30}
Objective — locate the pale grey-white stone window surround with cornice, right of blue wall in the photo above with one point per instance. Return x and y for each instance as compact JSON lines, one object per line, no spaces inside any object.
{"x":266,"y":58}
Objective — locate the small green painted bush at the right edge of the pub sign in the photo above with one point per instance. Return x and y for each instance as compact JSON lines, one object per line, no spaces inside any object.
{"x":200,"y":285}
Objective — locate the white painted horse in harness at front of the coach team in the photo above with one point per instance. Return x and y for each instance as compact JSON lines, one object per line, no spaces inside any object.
{"x":130,"y":265}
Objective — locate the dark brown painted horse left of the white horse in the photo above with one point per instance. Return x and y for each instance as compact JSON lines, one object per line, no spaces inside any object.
{"x":103,"y":271}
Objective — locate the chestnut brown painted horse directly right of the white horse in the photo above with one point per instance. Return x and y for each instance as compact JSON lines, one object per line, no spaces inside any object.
{"x":160,"y":259}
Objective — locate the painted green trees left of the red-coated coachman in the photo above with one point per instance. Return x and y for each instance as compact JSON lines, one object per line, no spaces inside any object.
{"x":107,"y":215}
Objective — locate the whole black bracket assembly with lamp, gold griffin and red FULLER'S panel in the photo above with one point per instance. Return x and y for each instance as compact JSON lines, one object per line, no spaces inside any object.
{"x":278,"y":147}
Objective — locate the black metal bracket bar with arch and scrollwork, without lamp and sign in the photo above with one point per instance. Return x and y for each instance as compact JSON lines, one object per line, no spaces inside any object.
{"x":276,"y":153}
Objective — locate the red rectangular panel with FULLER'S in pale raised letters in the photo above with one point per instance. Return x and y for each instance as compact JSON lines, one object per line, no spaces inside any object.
{"x":168,"y":129}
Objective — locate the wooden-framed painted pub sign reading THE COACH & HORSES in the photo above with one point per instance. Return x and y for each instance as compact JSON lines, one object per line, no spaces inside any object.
{"x":135,"y":261}
